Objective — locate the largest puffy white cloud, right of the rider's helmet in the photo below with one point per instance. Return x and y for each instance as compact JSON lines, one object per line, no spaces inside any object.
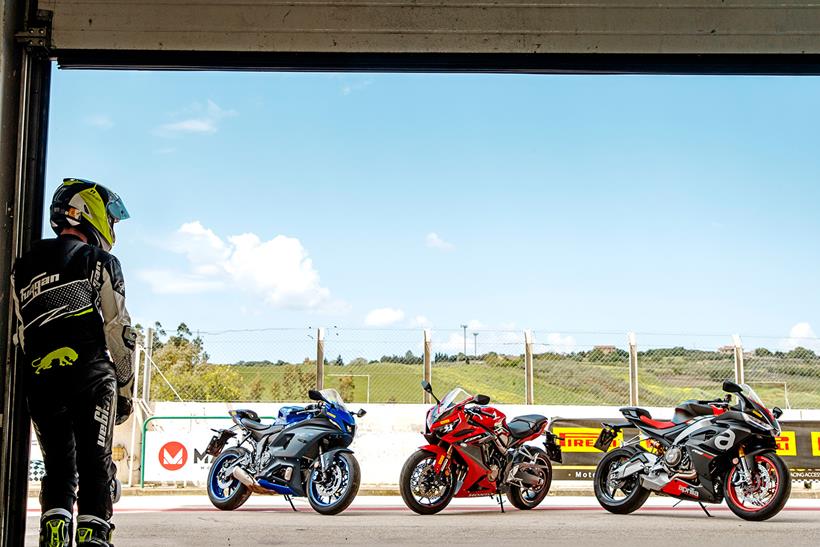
{"x":278,"y":270}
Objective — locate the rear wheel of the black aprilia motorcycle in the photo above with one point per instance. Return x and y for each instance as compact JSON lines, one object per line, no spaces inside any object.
{"x":619,"y":497}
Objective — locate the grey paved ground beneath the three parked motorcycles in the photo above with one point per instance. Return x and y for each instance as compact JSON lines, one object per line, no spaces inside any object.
{"x":576,"y":521}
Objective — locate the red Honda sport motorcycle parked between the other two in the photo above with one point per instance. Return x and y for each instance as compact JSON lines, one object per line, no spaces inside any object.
{"x":474,"y":451}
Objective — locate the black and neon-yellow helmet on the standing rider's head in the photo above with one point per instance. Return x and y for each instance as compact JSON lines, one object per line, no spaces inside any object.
{"x":88,"y":207}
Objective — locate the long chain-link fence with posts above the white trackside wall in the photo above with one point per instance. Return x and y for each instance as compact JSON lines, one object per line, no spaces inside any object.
{"x":511,"y":366}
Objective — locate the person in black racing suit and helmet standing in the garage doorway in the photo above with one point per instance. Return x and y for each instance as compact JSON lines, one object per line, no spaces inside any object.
{"x":77,"y":346}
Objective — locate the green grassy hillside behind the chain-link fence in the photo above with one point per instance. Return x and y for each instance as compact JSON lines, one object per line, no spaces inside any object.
{"x":663,"y":382}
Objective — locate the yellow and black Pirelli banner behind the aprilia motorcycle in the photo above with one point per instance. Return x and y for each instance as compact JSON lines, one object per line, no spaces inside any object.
{"x":798,"y":444}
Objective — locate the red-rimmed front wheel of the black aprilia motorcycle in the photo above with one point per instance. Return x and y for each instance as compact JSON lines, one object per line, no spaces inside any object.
{"x":763,"y":495}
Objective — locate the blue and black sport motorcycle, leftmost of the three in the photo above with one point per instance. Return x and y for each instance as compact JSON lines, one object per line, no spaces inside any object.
{"x":304,"y":452}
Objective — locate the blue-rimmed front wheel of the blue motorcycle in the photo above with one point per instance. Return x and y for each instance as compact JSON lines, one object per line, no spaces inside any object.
{"x":332,"y":491}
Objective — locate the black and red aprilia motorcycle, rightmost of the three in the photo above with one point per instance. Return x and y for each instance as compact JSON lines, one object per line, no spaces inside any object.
{"x":708,"y":452}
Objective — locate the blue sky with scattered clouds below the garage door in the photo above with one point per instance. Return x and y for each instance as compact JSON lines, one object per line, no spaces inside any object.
{"x":557,"y":203}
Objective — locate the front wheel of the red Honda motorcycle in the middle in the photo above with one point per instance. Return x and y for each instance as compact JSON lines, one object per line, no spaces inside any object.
{"x":422,"y":489}
